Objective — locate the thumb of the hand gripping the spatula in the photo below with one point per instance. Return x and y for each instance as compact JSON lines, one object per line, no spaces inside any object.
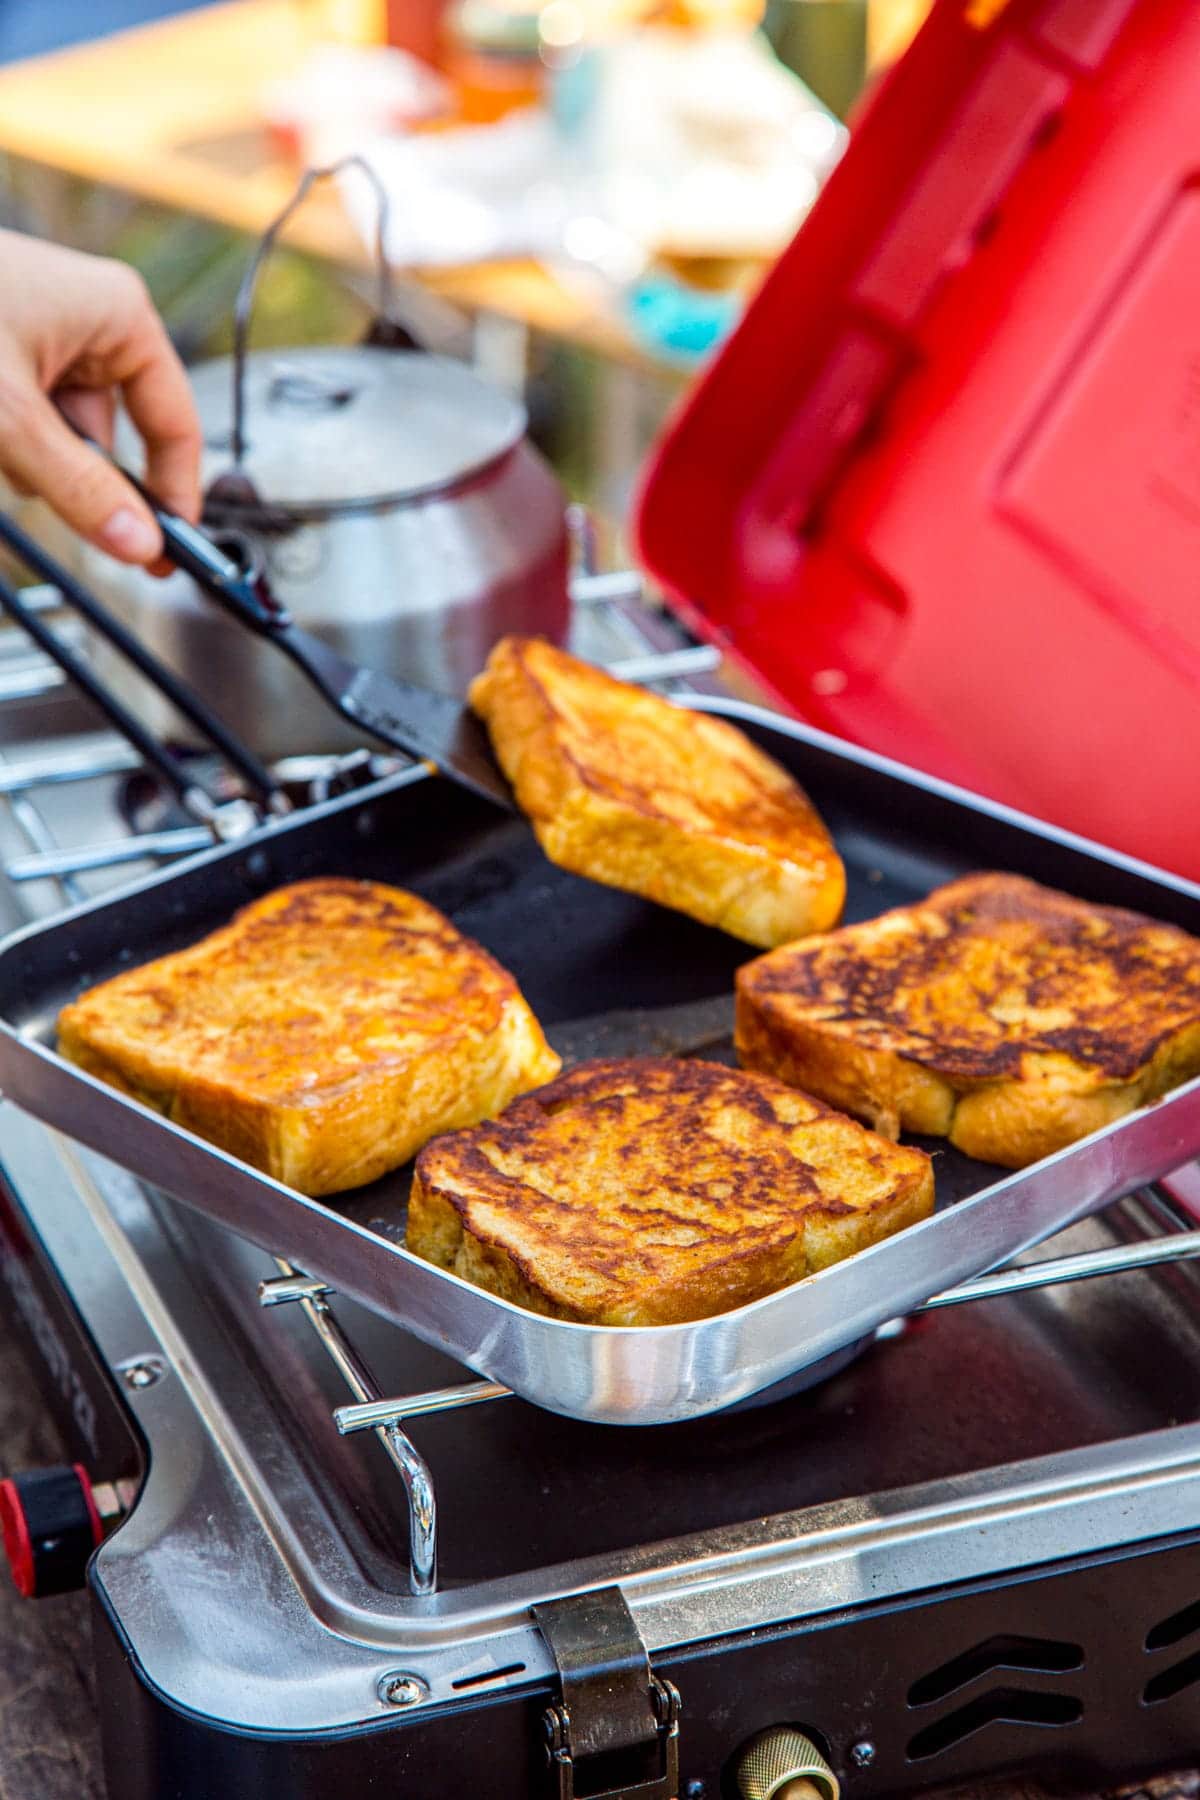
{"x":46,"y":458}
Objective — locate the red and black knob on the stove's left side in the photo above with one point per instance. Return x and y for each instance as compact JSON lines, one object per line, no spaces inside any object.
{"x":51,"y":1527}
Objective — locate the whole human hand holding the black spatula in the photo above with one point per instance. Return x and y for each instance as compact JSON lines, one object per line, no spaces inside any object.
{"x":75,"y":332}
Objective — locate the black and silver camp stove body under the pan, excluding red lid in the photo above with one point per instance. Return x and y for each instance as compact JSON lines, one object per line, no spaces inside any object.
{"x":974,"y":1551}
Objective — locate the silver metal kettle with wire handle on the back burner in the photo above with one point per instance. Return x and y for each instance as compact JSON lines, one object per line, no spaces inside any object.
{"x":397,"y":508}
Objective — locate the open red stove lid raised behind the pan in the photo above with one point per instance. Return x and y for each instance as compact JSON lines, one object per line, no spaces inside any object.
{"x":942,"y":489}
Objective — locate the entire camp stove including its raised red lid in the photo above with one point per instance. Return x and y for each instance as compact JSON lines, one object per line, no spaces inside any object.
{"x":949,"y":456}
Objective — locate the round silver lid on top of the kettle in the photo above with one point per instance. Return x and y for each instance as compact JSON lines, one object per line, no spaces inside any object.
{"x":336,"y":427}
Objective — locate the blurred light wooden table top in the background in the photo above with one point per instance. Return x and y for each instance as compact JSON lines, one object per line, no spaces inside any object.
{"x":172,"y":114}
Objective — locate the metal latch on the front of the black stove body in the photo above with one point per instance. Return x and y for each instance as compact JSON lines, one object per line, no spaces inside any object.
{"x":613,"y":1704}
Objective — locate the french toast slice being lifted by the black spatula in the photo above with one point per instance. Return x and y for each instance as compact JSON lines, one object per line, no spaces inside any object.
{"x":641,"y":795}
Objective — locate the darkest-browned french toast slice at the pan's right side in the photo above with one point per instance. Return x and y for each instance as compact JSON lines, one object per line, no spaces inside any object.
{"x":999,"y":1014}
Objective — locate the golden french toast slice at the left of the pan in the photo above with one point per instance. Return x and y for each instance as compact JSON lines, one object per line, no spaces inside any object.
{"x":323,"y":1036}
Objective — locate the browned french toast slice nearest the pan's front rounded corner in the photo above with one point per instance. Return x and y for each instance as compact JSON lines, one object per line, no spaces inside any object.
{"x":643,"y":1192}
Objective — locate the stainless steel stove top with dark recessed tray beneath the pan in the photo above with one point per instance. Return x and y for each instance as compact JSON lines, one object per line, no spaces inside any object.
{"x":265,"y":1572}
